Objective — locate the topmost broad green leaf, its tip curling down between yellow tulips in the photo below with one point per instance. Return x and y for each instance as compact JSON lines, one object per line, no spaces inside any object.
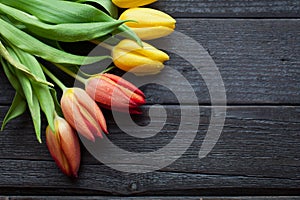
{"x":61,"y":12}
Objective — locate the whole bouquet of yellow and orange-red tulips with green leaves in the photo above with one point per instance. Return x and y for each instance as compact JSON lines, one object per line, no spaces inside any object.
{"x":31,"y":32}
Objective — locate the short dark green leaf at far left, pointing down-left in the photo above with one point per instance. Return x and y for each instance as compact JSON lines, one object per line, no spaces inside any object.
{"x":16,"y":109}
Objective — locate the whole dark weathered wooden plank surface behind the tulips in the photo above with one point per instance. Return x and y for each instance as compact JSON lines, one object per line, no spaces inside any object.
{"x":256,"y":47}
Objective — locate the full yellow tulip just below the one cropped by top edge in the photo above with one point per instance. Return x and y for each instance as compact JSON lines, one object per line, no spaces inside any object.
{"x":149,"y":23}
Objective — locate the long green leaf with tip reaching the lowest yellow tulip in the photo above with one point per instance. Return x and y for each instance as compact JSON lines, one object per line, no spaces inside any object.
{"x":33,"y":46}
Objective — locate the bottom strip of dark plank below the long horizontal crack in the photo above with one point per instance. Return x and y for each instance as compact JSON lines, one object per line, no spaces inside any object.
{"x":40,"y":174}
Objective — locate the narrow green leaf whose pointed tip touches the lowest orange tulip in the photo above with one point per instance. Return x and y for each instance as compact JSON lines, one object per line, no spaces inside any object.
{"x":42,"y":92}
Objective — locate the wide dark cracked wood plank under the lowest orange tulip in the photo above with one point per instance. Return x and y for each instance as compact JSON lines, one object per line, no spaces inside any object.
{"x":258,"y":150}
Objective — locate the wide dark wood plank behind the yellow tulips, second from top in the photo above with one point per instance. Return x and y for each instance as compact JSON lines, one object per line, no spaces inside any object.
{"x":258,"y":60}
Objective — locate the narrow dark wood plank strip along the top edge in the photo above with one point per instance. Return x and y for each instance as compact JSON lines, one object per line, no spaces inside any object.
{"x":230,"y":8}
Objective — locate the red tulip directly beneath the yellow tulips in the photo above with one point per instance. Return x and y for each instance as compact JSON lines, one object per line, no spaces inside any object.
{"x":115,"y":93}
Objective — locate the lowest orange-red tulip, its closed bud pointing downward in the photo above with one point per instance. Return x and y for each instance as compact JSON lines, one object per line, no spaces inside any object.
{"x":64,"y":146}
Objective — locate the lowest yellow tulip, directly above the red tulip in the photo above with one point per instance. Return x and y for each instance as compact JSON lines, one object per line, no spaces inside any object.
{"x":146,"y":60}
